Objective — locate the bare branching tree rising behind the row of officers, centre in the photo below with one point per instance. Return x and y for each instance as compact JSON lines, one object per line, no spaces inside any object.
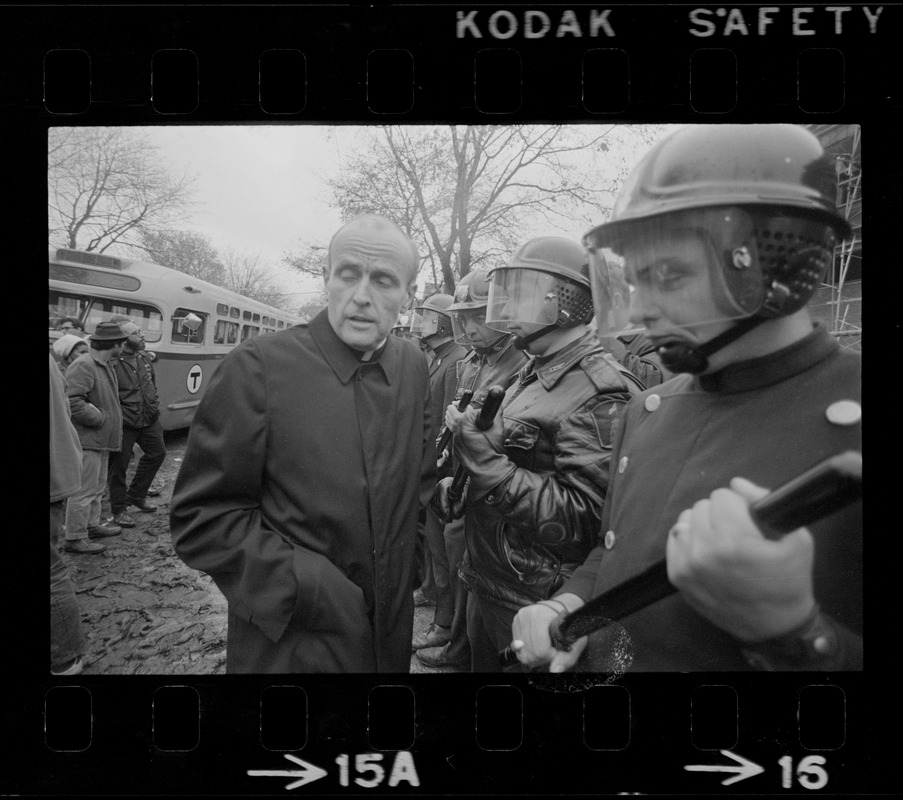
{"x":470,"y":194}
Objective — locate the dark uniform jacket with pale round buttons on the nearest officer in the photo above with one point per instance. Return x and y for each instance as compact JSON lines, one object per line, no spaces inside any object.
{"x":768,"y":420}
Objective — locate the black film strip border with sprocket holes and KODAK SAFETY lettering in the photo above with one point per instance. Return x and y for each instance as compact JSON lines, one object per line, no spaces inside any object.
{"x":408,"y":64}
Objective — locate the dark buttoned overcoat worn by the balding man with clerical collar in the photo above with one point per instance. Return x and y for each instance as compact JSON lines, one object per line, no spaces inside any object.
{"x":299,"y":494}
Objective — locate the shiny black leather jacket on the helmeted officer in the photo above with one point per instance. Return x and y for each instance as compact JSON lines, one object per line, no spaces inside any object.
{"x":533,"y":510}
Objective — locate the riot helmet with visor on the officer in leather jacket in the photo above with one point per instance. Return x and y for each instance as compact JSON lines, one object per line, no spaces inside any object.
{"x":544,"y":286}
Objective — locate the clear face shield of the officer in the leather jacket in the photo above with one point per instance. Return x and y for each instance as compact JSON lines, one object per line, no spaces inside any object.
{"x":522,"y":301}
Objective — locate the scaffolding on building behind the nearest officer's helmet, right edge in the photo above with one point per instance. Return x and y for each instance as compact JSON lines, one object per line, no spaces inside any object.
{"x":839,"y":302}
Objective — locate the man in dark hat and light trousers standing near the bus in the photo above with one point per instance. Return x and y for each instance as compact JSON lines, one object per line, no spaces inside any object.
{"x":94,"y":401}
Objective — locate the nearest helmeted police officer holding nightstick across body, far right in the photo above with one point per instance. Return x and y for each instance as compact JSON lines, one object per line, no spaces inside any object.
{"x":724,"y":232}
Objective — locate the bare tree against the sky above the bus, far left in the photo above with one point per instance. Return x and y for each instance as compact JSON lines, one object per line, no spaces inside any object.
{"x":106,"y":185}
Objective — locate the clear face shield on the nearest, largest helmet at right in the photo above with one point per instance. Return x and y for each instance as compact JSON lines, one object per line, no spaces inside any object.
{"x":691,"y":275}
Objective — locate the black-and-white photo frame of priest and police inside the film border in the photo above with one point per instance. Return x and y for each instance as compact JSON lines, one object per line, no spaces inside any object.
{"x":191,"y":556}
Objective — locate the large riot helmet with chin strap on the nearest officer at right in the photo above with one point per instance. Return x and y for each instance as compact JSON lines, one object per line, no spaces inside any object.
{"x":763,"y":199}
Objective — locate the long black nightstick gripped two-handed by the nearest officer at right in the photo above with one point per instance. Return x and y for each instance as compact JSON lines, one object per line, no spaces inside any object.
{"x":824,"y":489}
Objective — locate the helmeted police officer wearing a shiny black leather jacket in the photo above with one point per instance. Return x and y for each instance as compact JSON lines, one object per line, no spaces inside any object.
{"x":538,"y":476}
